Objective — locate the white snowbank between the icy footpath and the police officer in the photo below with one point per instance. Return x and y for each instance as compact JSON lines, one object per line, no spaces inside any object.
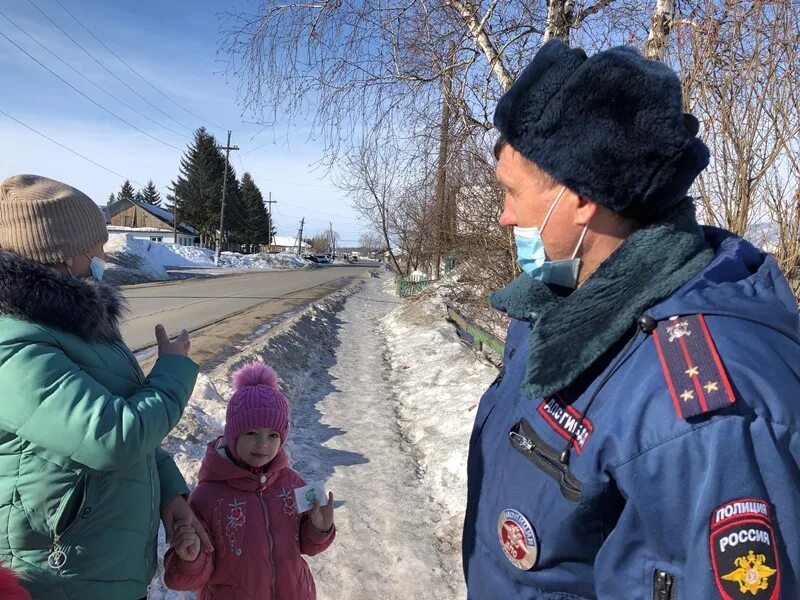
{"x":437,"y":383}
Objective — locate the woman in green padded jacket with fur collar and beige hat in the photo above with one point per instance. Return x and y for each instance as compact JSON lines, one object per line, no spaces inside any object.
{"x":83,"y":480}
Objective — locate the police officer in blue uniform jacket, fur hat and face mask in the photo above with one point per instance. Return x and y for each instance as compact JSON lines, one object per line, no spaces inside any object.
{"x":643,"y":438}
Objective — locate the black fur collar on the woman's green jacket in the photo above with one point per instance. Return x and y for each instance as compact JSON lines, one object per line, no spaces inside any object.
{"x":33,"y":292}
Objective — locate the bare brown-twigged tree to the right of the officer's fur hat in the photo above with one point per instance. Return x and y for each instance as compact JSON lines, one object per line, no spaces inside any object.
{"x":740,"y":74}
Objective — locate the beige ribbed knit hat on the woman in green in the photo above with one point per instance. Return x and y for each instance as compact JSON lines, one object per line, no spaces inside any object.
{"x":48,"y":221}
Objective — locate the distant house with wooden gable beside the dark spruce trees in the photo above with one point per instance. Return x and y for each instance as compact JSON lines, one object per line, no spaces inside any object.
{"x":147,"y":222}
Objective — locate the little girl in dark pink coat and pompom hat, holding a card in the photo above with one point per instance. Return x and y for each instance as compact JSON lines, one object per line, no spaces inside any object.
{"x":245,"y":497}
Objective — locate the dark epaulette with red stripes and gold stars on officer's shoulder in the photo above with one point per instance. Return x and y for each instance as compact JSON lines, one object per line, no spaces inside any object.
{"x":692,"y":368}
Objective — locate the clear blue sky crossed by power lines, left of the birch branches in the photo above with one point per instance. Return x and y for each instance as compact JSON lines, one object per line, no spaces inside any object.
{"x":174,"y":46}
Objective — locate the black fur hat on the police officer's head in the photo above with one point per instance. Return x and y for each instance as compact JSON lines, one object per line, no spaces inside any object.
{"x":610,"y":127}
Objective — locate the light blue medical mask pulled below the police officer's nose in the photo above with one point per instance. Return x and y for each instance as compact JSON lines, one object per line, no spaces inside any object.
{"x":532,"y":258}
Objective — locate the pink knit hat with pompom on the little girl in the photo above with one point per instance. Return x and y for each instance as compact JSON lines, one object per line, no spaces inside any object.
{"x":256,"y":403}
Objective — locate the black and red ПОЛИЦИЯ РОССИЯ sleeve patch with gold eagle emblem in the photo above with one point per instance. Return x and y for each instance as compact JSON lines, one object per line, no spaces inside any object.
{"x":743,"y":552}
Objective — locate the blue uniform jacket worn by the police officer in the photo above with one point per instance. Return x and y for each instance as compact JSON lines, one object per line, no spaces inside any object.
{"x":651,"y":505}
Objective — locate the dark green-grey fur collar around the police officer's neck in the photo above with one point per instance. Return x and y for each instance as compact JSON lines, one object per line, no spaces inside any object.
{"x":573,"y":331}
